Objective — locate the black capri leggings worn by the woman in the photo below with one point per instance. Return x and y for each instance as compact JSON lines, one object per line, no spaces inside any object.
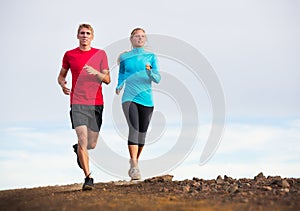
{"x":138,"y":118}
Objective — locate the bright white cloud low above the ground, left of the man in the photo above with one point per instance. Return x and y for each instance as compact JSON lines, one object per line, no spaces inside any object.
{"x":35,"y":158}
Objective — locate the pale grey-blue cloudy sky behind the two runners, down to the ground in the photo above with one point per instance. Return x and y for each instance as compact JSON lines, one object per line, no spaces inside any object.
{"x":252,"y":46}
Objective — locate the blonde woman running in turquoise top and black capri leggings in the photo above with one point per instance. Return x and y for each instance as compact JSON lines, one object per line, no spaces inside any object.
{"x":138,"y":68}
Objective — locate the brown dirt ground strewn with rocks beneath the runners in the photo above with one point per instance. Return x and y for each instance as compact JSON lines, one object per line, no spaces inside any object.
{"x":162,"y":193}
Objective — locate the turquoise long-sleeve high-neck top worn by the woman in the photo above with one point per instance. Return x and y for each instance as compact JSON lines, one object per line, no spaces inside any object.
{"x":135,"y":77}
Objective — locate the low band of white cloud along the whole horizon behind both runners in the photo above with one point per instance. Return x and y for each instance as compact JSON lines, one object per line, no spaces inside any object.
{"x":245,"y":150}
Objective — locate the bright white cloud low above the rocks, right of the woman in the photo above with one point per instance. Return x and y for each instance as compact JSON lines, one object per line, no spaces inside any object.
{"x":246,"y":150}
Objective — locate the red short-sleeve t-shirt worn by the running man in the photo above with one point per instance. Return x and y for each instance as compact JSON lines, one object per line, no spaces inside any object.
{"x":86,"y":89}
